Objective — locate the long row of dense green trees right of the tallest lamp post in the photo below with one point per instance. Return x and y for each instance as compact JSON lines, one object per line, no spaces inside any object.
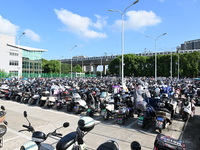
{"x":145,"y":66}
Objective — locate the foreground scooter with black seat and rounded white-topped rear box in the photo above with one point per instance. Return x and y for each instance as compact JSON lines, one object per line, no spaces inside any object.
{"x":74,"y":140}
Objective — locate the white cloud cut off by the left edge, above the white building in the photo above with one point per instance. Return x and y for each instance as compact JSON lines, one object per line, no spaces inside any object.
{"x":6,"y":27}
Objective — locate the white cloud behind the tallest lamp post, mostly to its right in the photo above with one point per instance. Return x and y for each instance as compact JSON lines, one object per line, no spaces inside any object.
{"x":139,"y":20}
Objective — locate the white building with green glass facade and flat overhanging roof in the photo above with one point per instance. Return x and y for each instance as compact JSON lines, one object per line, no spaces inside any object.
{"x":19,"y":60}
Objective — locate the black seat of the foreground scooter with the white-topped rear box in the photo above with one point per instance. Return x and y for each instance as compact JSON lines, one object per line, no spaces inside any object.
{"x":66,"y":141}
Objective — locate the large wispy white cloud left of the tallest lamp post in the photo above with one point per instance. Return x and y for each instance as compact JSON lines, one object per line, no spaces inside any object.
{"x":81,"y":25}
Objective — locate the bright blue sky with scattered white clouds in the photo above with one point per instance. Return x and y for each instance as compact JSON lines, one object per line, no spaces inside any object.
{"x":58,"y":25}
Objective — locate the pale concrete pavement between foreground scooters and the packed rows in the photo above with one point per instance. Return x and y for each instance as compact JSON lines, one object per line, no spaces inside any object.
{"x":47,"y":120}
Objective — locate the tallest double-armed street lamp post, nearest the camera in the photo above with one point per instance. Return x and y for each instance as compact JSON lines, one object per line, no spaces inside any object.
{"x":122,"y":37}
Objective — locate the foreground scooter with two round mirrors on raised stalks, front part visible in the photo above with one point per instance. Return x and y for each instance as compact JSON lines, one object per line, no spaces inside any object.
{"x":38,"y":136}
